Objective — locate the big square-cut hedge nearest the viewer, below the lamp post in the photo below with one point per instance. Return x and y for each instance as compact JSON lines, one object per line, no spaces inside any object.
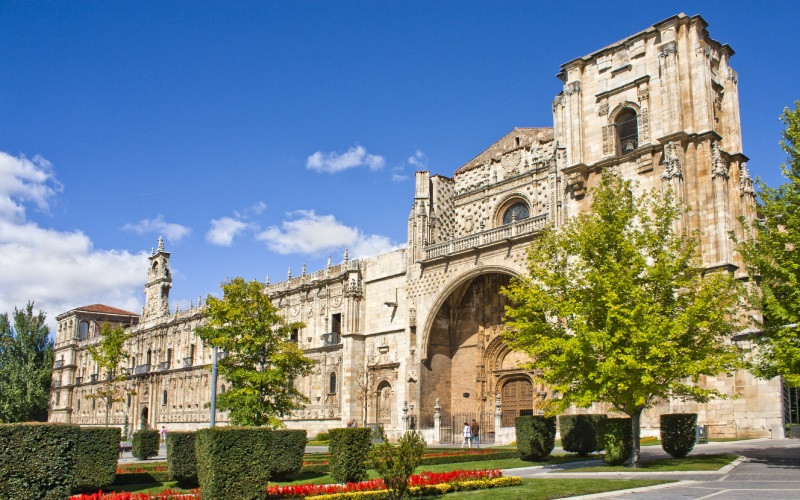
{"x":233,"y":462}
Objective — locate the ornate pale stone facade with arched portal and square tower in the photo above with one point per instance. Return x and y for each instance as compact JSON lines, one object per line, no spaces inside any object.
{"x":412,"y":337}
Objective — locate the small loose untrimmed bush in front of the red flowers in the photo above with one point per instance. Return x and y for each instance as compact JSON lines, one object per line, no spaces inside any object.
{"x":395,"y":464}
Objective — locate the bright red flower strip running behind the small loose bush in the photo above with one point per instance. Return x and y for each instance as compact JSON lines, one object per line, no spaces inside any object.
{"x":424,"y":479}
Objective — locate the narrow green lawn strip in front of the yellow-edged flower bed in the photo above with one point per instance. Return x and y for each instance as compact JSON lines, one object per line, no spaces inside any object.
{"x":537,"y":489}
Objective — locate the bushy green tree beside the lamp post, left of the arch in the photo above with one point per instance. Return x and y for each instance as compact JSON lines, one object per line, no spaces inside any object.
{"x":261,"y":362}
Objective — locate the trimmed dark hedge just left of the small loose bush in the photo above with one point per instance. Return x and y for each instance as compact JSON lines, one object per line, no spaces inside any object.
{"x":349,"y":449}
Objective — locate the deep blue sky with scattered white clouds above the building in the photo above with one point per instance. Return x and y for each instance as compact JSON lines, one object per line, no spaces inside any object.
{"x":255,"y":136}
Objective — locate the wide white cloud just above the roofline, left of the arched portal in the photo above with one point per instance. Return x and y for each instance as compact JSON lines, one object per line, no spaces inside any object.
{"x":310,"y":233}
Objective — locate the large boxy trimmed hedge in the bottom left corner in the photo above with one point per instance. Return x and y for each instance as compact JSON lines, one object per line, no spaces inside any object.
{"x":37,"y":460}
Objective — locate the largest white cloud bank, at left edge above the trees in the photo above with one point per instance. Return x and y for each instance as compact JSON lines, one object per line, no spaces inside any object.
{"x":56,"y":270}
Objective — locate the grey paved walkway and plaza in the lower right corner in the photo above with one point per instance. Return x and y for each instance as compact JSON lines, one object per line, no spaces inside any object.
{"x":770,"y":468}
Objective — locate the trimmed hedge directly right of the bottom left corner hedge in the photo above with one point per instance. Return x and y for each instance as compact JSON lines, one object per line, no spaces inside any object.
{"x":98,"y":452}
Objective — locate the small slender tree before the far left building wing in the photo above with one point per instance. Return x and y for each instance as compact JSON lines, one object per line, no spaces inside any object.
{"x":109,"y":354}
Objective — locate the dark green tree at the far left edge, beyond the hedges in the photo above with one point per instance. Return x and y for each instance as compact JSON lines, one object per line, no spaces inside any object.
{"x":26,"y":366}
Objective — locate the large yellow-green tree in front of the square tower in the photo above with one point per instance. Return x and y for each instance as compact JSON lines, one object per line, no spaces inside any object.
{"x":616,"y":308}
